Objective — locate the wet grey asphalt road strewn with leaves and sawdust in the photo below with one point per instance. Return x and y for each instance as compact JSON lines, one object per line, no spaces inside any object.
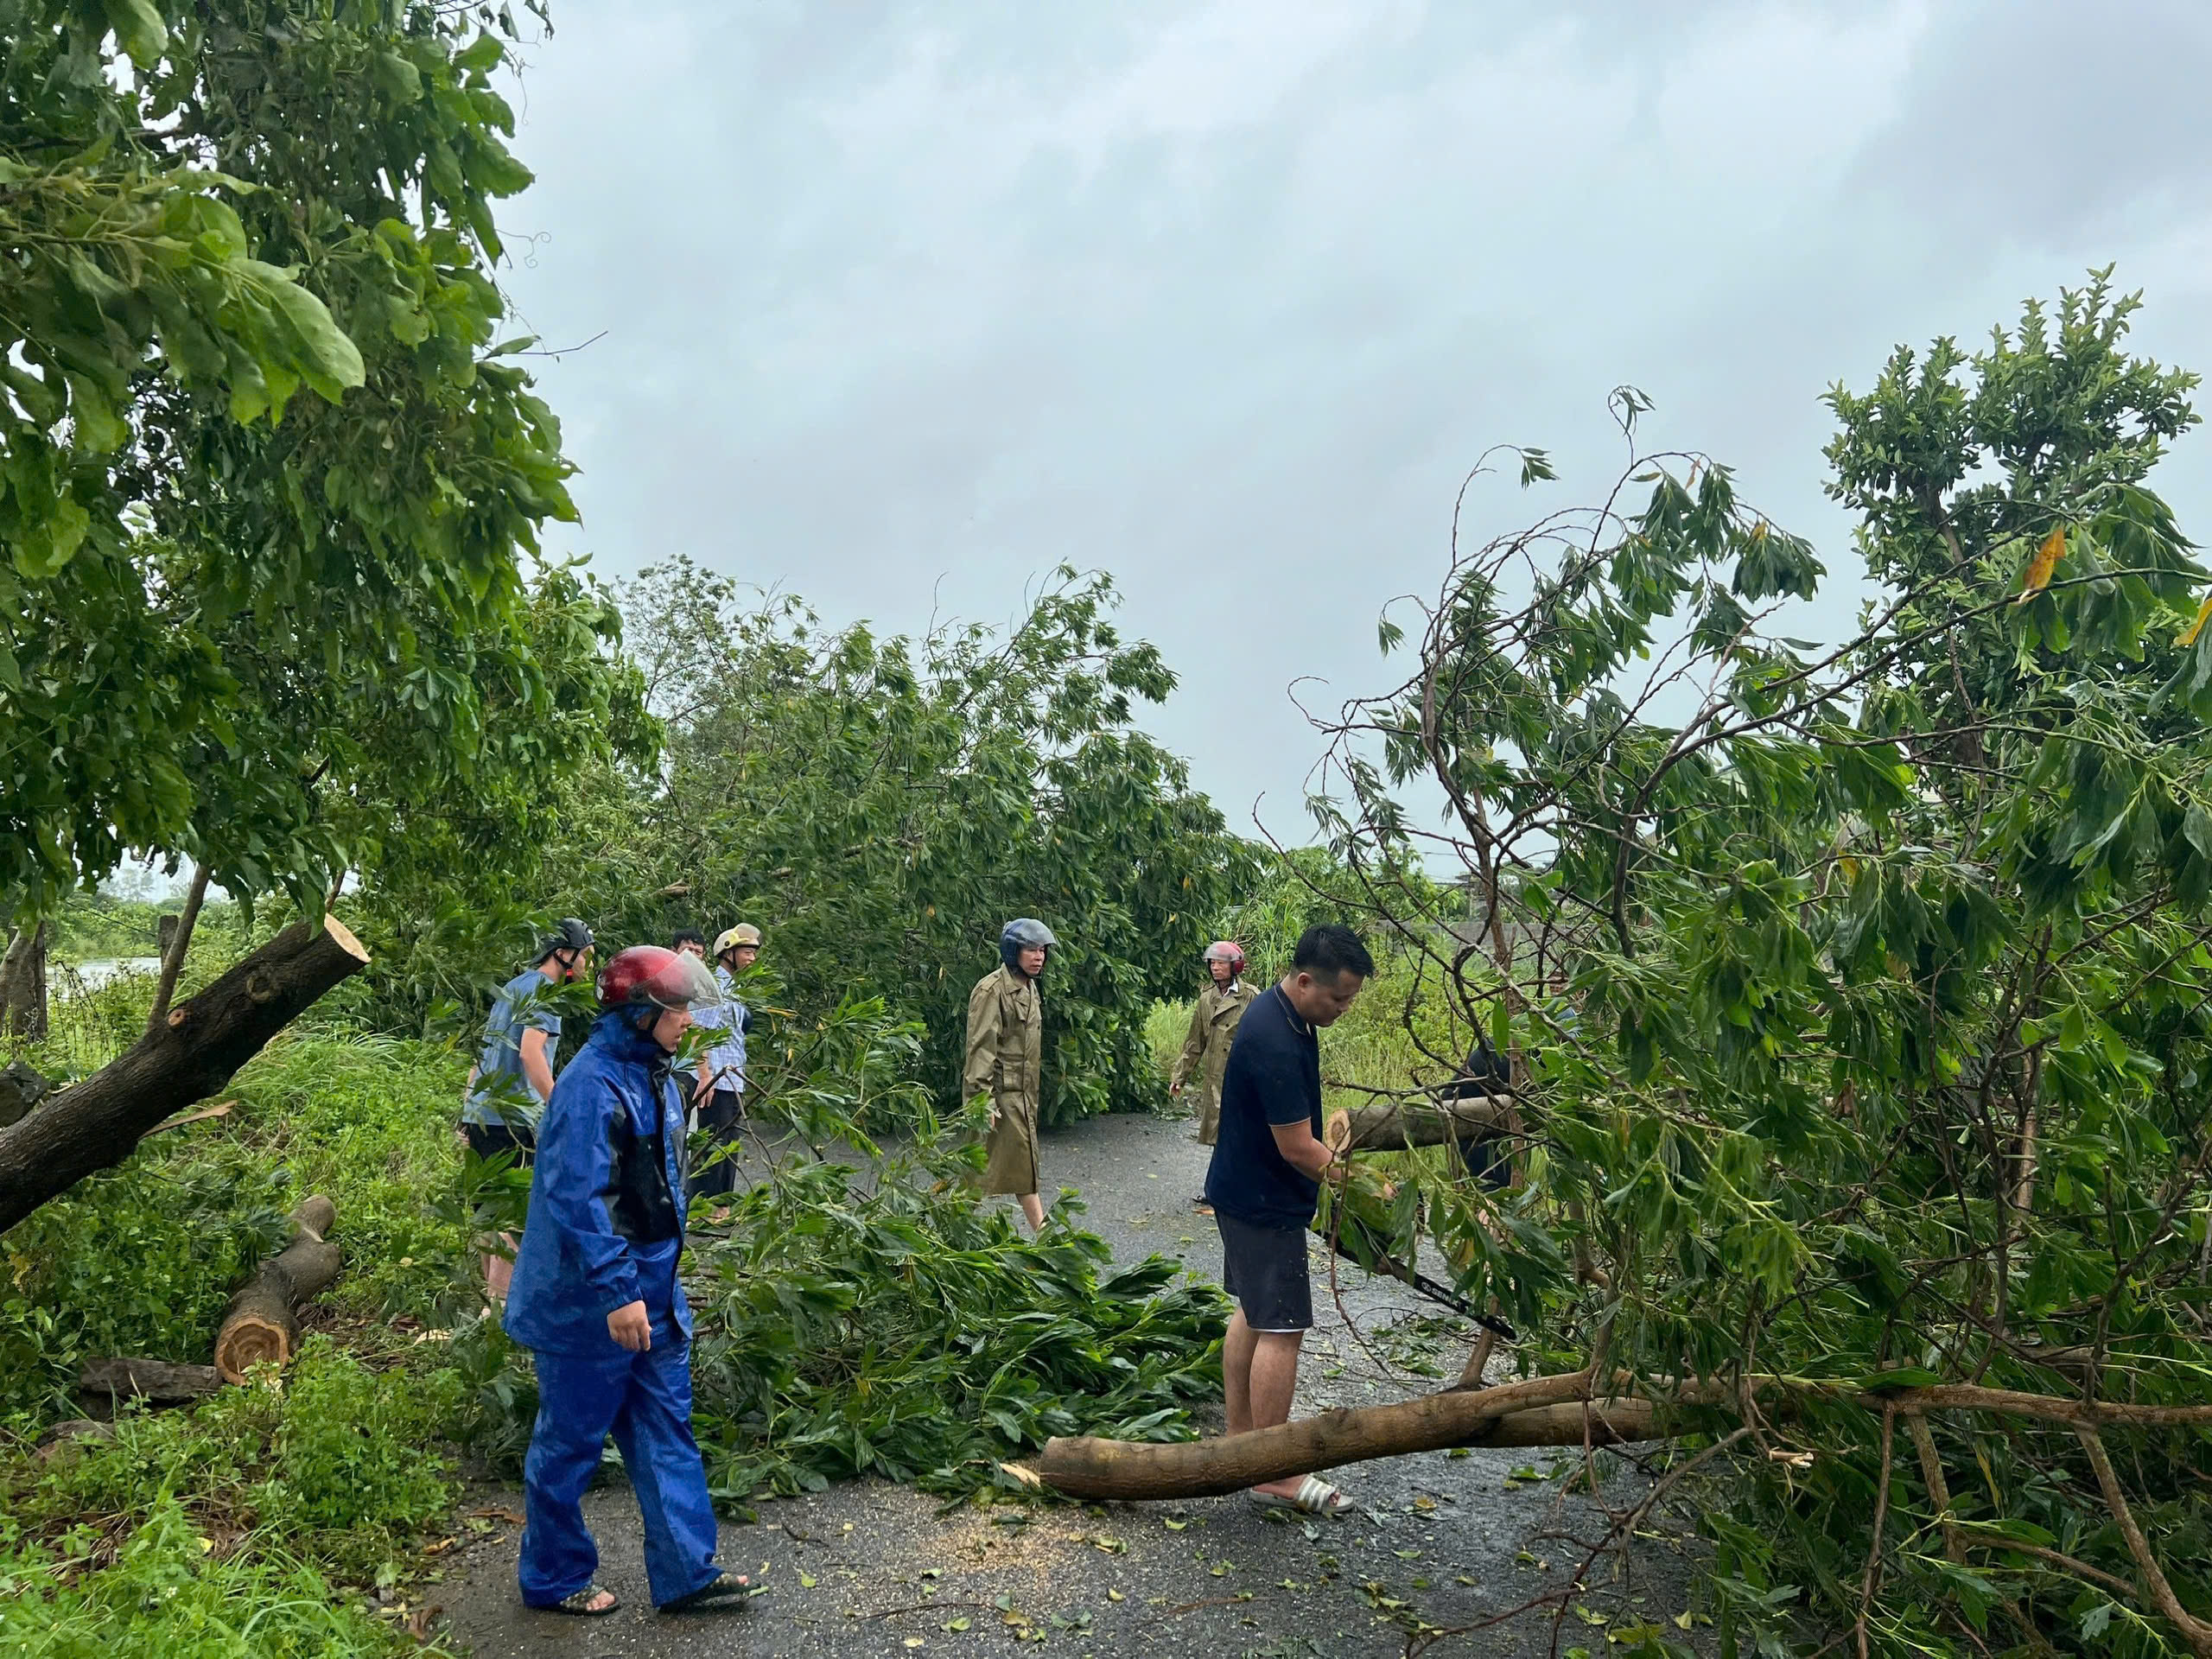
{"x":873,"y":1569}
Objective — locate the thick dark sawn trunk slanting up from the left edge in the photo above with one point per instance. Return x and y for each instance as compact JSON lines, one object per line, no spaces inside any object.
{"x":96,"y":1125}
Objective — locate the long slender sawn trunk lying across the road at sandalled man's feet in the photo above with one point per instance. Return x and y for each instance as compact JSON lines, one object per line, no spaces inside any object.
{"x":1536,"y":1412}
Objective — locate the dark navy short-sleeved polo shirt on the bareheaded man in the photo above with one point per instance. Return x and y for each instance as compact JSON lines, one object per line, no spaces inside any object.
{"x":1273,"y":1078}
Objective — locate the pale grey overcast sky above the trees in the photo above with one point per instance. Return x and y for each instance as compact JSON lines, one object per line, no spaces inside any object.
{"x":906,"y":304}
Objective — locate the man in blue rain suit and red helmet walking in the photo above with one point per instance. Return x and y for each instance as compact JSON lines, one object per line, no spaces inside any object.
{"x":598,"y":1302}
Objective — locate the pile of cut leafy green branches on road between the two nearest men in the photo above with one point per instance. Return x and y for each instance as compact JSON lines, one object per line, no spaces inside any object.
{"x":910,"y":1333}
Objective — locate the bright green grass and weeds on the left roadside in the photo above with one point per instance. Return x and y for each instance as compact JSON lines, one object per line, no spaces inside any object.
{"x":271,"y":1519}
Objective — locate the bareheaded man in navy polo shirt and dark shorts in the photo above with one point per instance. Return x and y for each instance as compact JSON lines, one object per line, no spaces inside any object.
{"x":1264,"y":1185}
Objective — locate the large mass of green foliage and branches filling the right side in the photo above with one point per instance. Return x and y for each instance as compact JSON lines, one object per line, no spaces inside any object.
{"x":1888,"y":1045}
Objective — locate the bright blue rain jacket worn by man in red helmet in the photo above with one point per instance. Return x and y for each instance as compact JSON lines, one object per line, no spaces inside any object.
{"x":607,"y":1200}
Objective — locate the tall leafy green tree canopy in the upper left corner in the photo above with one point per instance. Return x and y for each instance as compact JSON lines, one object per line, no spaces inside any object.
{"x":269,"y":477}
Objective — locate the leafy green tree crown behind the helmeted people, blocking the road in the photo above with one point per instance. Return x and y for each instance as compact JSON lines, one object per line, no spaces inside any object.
{"x":881,"y":806}
